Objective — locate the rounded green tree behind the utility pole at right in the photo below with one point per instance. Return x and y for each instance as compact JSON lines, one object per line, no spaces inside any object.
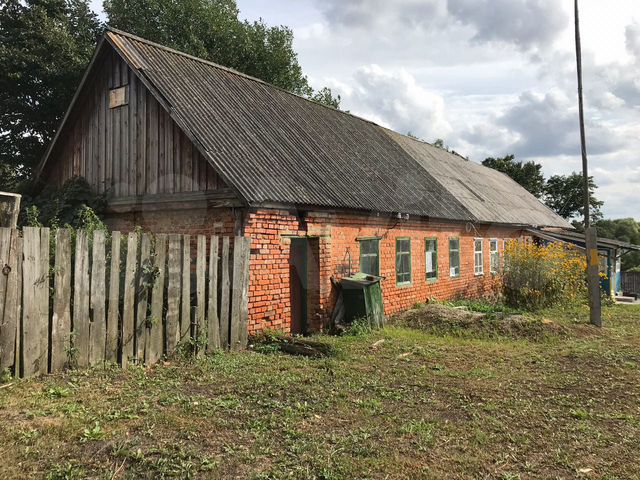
{"x":565,"y":196}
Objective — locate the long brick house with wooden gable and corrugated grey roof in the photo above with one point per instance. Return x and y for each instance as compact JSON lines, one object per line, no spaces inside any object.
{"x":184,"y":145}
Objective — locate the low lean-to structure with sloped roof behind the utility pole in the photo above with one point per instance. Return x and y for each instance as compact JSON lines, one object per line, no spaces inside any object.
{"x":610,"y":253}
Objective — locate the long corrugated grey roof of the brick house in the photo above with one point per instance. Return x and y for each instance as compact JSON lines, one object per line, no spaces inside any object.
{"x":275,"y":147}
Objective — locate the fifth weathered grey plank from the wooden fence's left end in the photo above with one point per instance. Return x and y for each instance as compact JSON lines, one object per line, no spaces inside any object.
{"x":98,"y":325}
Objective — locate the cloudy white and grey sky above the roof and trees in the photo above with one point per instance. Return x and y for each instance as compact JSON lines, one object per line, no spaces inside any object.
{"x":489,"y":77}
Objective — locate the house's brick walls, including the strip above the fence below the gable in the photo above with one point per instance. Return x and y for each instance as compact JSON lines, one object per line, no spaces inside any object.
{"x":334,"y":252}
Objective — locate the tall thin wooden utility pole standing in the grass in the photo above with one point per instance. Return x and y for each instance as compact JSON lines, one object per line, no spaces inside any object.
{"x":593,"y":278}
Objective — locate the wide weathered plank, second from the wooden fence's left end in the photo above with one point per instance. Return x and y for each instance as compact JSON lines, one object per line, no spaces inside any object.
{"x":35,"y":321}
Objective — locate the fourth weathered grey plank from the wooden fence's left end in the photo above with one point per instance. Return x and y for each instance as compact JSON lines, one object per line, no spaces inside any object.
{"x":81,"y":293}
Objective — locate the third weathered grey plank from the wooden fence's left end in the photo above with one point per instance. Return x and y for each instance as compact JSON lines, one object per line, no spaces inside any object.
{"x":61,"y":322}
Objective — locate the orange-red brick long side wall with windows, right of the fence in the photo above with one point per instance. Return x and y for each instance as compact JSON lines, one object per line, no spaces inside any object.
{"x":337,"y":235}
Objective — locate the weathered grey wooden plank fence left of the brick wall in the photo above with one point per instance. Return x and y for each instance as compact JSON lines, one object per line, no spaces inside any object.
{"x":81,"y":299}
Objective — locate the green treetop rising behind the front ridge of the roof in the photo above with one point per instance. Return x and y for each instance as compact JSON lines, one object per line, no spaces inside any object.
{"x":211,"y":29}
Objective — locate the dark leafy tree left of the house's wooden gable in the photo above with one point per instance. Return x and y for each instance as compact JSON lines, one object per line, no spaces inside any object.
{"x":45,"y":47}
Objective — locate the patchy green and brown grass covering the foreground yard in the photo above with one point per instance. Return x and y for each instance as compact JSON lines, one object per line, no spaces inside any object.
{"x":418,"y":405}
